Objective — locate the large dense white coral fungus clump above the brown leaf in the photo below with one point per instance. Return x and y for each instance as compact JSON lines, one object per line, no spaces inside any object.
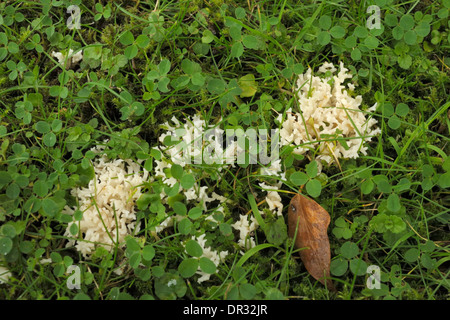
{"x":330,"y":119}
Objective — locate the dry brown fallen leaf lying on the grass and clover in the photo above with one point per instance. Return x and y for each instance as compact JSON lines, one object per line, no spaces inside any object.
{"x":312,"y":222}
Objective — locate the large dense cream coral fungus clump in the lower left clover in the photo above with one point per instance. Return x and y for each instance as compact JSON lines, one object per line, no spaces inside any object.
{"x":108,"y":205}
